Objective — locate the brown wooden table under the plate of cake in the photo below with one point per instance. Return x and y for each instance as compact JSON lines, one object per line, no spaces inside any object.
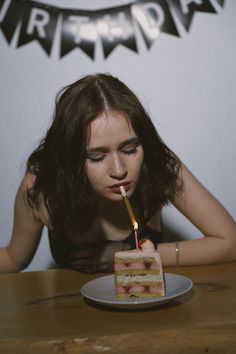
{"x":44,"y":313}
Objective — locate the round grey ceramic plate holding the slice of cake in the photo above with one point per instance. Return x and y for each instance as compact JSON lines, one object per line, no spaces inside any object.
{"x":101,"y":290}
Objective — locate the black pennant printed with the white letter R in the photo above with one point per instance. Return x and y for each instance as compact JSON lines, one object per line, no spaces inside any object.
{"x":39,"y":23}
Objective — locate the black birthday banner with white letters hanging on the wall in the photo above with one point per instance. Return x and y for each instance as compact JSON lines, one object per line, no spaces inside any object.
{"x":33,"y":21}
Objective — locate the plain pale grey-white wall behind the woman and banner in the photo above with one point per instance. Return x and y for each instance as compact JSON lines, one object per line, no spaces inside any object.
{"x":188,"y":85}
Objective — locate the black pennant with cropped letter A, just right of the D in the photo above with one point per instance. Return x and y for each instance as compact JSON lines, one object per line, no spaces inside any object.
{"x":185,"y":11}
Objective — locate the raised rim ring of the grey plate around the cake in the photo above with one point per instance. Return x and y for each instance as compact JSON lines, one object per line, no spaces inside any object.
{"x":137,"y":301}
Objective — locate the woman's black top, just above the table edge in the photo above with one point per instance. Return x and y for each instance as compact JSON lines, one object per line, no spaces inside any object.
{"x":88,"y":256}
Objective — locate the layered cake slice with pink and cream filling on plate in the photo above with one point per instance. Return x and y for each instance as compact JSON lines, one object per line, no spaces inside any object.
{"x":139,"y":273}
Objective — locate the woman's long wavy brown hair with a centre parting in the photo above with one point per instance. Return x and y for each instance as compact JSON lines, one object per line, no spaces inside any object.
{"x":59,"y":160}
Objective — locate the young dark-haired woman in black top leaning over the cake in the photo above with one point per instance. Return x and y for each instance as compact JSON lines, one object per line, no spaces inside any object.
{"x":101,"y":138}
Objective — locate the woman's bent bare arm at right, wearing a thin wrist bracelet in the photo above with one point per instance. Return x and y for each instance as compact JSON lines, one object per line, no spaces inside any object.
{"x":217,"y":238}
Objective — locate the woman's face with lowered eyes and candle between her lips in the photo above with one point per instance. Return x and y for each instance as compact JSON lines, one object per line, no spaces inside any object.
{"x":114,"y":156}
